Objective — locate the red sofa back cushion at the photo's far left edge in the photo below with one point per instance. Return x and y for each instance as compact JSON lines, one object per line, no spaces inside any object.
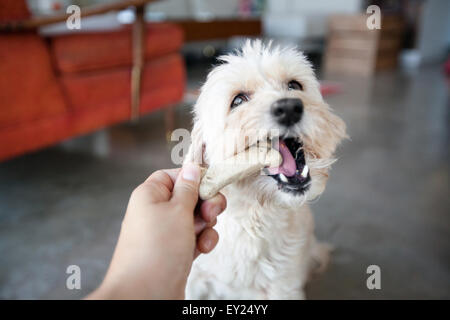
{"x":28,"y":87}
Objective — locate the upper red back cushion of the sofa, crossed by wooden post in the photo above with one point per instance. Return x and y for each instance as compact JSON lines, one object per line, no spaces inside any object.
{"x":100,"y":50}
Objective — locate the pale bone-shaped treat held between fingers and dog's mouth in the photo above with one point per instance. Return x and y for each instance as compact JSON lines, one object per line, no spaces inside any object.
{"x":240,"y":166}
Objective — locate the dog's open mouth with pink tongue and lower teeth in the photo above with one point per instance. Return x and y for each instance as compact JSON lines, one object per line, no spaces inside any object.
{"x":293,"y":173}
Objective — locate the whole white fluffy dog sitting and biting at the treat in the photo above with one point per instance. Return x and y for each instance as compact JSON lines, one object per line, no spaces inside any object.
{"x":267,"y":248}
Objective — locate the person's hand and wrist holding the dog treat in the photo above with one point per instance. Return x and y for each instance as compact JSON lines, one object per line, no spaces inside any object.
{"x":164,"y":229}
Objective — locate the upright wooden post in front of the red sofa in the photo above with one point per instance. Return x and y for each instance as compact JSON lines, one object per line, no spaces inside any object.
{"x":138,"y":61}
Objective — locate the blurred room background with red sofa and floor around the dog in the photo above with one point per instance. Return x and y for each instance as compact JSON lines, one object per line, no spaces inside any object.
{"x":85,"y":116}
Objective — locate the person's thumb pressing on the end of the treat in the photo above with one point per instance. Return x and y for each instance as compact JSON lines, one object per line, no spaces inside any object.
{"x":186,"y":186}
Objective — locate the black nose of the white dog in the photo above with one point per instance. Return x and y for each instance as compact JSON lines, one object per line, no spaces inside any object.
{"x":287,"y":111}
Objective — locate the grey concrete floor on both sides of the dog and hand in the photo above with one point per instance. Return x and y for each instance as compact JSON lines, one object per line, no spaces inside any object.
{"x":386,"y":204}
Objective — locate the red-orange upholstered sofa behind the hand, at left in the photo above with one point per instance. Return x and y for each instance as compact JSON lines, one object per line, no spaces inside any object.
{"x":64,"y":86}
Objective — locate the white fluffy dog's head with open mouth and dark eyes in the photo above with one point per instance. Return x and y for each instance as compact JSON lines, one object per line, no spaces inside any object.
{"x":264,"y":89}
